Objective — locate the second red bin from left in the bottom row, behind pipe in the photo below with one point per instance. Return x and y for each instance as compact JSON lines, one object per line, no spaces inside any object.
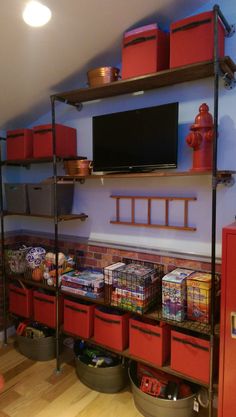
{"x":45,"y":308}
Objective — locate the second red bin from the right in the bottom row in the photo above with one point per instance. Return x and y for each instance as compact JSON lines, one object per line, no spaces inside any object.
{"x":149,"y":341}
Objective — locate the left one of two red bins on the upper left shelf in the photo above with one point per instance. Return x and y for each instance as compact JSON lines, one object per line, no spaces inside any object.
{"x":19,"y":144}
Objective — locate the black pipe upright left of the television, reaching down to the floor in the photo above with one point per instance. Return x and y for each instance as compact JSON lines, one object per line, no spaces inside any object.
{"x":55,"y":232}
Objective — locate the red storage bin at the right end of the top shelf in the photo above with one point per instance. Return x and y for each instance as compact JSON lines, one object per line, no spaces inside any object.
{"x":192,"y":40}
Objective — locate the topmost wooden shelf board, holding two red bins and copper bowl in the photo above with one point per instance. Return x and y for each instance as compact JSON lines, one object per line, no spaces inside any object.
{"x":148,"y":82}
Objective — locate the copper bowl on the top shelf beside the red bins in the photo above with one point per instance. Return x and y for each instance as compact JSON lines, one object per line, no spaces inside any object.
{"x":102,"y":75}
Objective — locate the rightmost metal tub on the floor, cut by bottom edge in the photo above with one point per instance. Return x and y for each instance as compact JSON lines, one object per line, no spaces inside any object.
{"x":152,"y":406}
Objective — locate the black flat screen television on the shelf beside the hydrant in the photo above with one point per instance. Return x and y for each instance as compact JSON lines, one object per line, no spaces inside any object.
{"x":136,"y":140}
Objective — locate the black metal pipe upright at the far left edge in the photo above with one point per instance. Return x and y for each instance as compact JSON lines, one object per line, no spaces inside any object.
{"x":4,"y":283}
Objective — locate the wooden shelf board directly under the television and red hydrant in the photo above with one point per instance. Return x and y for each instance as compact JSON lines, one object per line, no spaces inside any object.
{"x":154,"y":174}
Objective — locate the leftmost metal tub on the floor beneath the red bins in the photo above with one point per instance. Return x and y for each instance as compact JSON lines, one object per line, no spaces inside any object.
{"x":41,"y":349}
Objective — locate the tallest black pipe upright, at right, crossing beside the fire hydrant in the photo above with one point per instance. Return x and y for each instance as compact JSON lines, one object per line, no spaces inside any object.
{"x":214,"y":196}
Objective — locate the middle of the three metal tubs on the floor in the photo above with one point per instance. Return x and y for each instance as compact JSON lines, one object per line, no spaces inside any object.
{"x":111,"y":379}
